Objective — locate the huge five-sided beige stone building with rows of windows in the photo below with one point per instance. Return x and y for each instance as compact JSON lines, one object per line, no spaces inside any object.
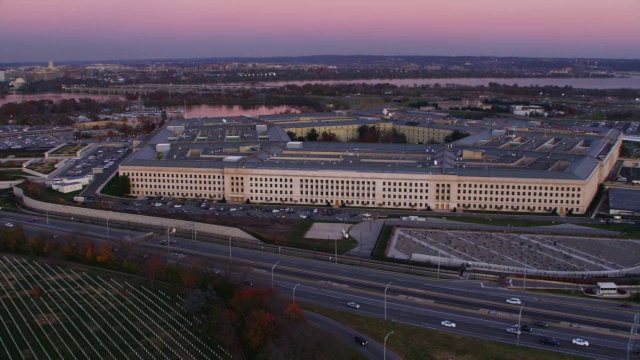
{"x":506,"y":166}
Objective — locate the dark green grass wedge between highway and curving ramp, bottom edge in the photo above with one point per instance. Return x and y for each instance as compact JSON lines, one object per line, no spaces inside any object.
{"x":416,"y":343}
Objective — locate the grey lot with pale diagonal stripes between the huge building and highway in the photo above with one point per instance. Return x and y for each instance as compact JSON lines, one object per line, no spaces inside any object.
{"x":533,"y":251}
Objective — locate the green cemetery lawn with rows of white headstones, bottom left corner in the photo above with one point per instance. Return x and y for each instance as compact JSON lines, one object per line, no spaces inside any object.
{"x":62,"y":313}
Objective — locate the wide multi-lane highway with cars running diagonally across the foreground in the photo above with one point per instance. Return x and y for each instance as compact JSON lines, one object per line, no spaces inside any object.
{"x":478,"y":308}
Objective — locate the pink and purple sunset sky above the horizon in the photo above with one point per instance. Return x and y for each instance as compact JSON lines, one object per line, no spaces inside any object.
{"x":41,"y":30}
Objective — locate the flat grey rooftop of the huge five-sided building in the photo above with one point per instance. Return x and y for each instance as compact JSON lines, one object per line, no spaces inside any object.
{"x":258,"y":142}
